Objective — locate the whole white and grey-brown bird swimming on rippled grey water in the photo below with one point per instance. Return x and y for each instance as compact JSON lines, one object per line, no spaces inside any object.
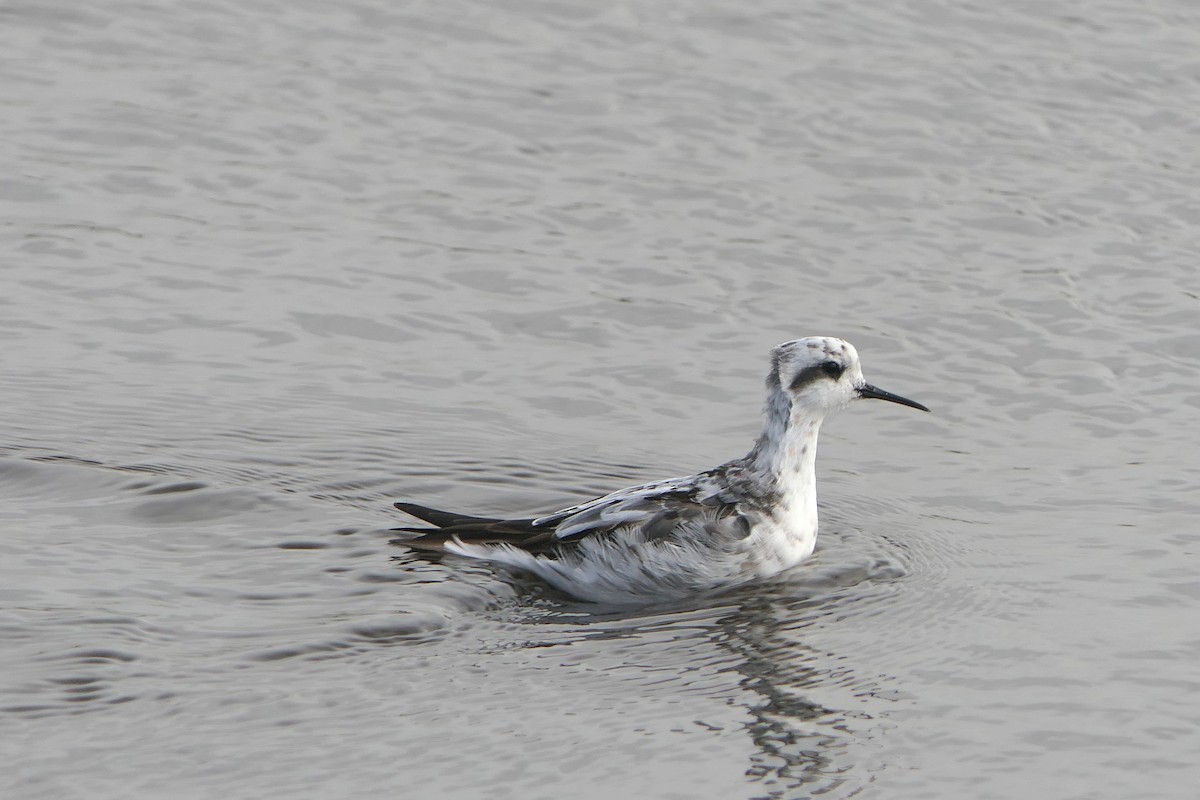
{"x":747,"y":520}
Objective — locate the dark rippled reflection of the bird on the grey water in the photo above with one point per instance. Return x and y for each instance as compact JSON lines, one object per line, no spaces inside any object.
{"x":759,"y":637}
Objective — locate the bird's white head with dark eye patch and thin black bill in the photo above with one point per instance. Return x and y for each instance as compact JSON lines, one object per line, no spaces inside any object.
{"x":821,"y":375}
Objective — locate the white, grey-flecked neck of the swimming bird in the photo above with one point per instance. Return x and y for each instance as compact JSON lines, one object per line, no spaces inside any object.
{"x":784,"y":458}
